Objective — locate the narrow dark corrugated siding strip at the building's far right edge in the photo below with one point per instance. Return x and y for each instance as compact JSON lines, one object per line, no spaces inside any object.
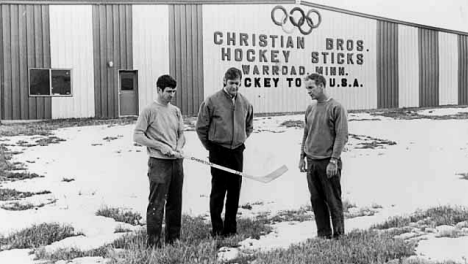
{"x":463,"y":70}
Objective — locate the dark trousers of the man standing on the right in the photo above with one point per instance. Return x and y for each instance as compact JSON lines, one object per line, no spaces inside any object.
{"x":325,"y":196}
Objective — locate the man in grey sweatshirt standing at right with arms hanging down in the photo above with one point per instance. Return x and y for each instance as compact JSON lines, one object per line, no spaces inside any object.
{"x":325,"y":134}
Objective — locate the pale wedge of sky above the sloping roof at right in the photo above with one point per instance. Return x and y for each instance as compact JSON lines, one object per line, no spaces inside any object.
{"x":447,"y":14}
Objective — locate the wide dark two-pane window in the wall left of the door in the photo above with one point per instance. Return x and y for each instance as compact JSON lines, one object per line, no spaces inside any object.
{"x":49,"y":82}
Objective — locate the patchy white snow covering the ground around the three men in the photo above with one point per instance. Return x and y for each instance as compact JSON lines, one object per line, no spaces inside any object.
{"x":421,"y":170}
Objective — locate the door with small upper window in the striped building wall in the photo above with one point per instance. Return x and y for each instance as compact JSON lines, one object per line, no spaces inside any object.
{"x":128,"y":93}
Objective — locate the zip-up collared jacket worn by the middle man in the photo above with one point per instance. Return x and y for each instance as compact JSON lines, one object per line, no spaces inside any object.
{"x":223,"y":121}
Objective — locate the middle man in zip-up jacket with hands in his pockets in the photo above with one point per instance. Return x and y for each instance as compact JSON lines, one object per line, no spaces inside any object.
{"x":225,"y":121}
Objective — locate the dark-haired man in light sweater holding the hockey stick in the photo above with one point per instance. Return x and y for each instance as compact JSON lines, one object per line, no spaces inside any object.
{"x":160,"y":128}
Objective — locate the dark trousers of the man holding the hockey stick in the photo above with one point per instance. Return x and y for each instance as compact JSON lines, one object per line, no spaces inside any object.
{"x":166,"y":178}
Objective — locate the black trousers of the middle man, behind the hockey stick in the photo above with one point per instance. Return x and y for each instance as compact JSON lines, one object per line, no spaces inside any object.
{"x":225,"y":184}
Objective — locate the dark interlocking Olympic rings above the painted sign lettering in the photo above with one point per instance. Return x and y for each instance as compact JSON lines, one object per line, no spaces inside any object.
{"x":299,"y":23}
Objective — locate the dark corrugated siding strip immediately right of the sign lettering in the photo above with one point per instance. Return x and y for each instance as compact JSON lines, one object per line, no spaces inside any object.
{"x":387,"y":65}
